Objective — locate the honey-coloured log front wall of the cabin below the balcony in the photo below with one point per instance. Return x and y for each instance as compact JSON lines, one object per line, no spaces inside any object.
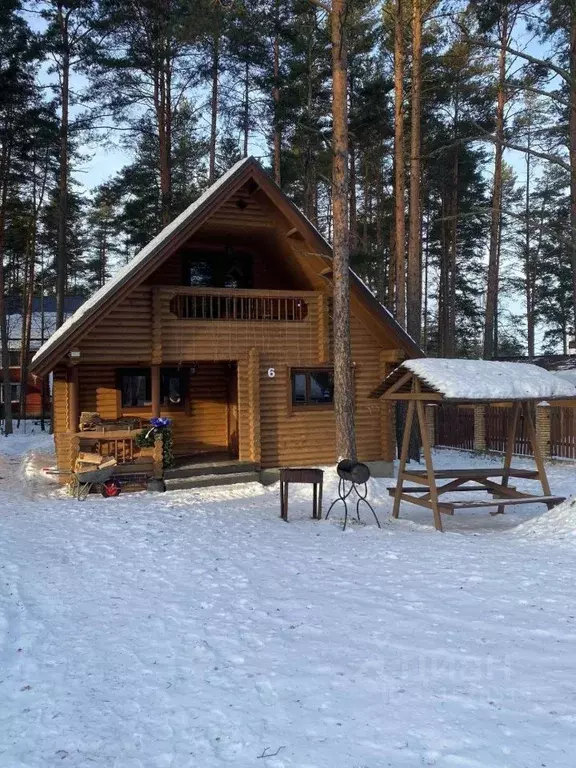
{"x":130,"y":336}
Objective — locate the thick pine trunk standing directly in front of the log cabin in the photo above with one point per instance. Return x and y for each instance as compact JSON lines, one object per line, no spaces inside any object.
{"x":343,"y":375}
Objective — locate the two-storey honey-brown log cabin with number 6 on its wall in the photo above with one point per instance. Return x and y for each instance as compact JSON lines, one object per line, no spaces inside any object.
{"x":222,"y":323}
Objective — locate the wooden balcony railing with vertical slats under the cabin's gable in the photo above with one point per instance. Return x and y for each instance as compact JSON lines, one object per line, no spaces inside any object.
{"x":239,"y":306}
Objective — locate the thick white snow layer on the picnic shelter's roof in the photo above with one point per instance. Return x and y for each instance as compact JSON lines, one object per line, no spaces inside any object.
{"x":489,"y":379}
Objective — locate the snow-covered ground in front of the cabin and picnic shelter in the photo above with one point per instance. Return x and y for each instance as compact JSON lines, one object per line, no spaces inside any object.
{"x":197,"y":629}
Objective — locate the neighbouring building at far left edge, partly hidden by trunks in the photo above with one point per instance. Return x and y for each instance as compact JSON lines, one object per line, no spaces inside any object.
{"x":43,"y":326}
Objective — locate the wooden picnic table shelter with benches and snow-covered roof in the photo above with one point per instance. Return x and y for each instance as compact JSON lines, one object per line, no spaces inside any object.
{"x":470,"y":382}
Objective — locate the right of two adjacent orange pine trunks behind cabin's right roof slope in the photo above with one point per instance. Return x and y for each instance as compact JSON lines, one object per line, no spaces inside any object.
{"x":414,"y":287}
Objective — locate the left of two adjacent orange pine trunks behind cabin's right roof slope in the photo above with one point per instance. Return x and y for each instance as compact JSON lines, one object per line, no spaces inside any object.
{"x":399,"y":172}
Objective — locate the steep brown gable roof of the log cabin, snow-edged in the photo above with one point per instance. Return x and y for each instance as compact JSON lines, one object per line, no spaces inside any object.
{"x":176,"y":233}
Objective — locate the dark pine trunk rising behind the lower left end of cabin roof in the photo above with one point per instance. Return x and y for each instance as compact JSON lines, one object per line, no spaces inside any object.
{"x":62,"y":252}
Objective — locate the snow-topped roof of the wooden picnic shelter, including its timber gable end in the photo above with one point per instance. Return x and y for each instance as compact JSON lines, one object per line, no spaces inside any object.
{"x":472,"y":381}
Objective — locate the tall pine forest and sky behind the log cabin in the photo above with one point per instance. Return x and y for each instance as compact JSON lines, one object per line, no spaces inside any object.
{"x":117,"y":114}
